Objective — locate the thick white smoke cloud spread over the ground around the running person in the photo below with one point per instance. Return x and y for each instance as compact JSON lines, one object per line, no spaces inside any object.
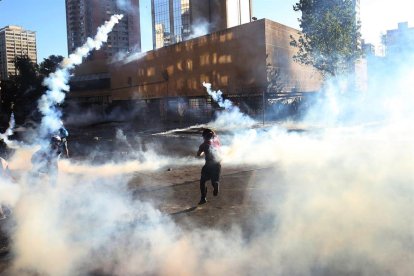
{"x":338,"y":200}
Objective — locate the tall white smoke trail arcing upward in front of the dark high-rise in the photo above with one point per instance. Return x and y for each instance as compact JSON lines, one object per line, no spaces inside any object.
{"x":57,"y":82}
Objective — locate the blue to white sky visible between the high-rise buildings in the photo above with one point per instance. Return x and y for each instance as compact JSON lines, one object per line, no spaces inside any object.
{"x":47,"y":18}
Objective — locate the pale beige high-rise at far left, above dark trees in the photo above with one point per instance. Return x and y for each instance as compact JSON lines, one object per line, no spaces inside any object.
{"x":14,"y":42}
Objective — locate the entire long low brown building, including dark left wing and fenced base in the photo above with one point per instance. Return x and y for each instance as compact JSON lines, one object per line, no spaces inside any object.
{"x":235,"y":60}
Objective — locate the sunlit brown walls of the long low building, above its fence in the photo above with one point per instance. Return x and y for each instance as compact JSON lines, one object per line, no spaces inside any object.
{"x":234,"y":60}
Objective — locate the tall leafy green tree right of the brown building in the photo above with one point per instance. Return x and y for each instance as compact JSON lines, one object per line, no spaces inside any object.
{"x":330,"y":35}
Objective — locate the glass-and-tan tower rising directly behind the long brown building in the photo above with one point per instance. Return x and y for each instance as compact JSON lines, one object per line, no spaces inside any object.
{"x":177,"y":20}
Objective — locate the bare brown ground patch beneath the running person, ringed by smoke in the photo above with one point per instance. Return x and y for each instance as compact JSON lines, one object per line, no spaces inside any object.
{"x":177,"y":193}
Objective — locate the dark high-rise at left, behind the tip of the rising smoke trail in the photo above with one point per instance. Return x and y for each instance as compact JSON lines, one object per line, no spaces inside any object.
{"x":83,"y":17}
